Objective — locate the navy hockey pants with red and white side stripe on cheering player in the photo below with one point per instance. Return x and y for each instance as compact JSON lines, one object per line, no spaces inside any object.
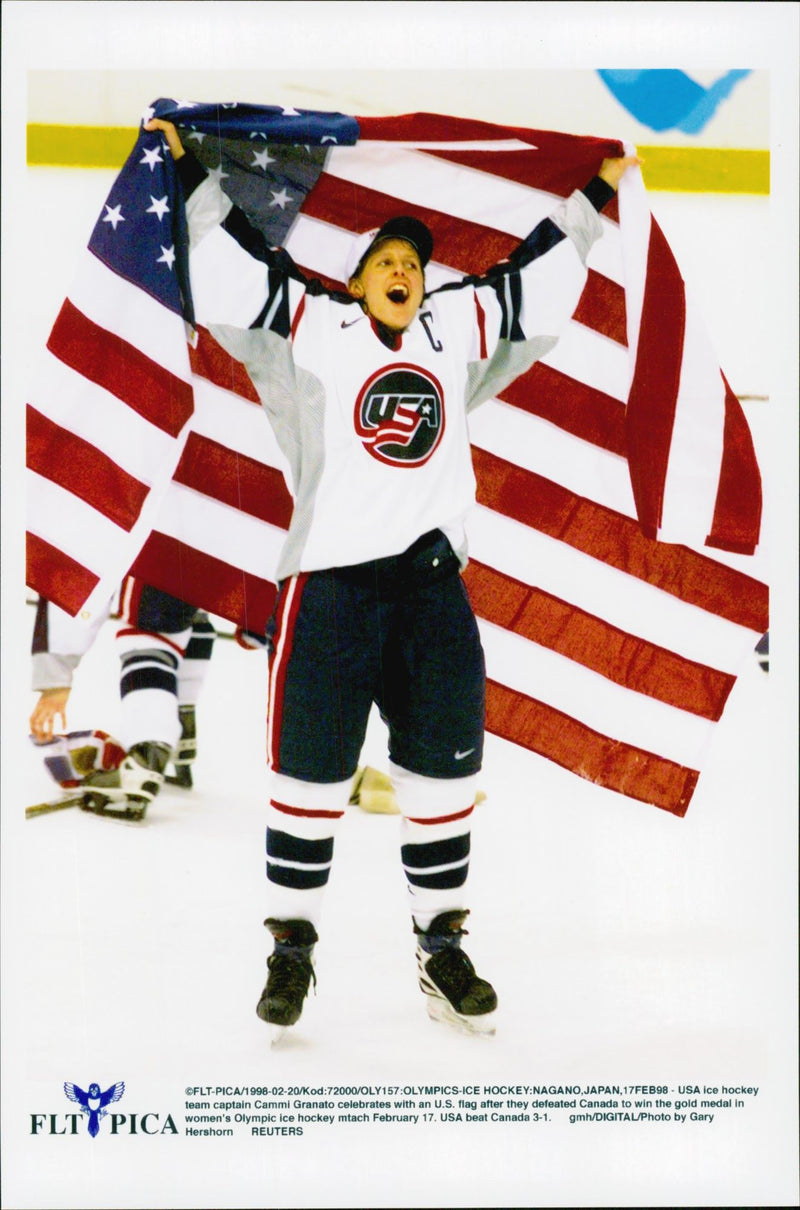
{"x":399,"y":632}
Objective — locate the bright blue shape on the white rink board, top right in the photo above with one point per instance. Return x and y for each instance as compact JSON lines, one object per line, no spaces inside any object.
{"x":669,"y":100}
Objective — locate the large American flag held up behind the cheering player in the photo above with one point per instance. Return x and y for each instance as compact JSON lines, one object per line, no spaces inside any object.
{"x":618,"y":486}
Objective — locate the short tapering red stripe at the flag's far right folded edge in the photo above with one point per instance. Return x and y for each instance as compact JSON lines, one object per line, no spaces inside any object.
{"x":738,"y":512}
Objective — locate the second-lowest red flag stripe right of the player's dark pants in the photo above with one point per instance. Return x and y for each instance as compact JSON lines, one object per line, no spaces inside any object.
{"x":624,"y":659}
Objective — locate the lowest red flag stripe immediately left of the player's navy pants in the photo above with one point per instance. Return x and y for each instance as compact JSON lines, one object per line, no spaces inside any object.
{"x":208,"y":583}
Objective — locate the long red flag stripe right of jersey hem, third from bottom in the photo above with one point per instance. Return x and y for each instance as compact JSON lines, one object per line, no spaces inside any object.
{"x":618,"y":541}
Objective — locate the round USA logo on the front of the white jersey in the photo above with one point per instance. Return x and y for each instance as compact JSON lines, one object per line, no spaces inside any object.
{"x":400,"y":416}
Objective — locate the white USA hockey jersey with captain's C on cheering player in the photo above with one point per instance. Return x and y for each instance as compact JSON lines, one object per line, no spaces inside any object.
{"x":376,"y":439}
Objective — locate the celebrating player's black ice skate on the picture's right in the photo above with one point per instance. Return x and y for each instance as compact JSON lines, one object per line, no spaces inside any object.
{"x":453,"y":990}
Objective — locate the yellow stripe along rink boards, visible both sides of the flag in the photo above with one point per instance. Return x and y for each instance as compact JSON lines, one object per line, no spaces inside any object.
{"x":672,"y":170}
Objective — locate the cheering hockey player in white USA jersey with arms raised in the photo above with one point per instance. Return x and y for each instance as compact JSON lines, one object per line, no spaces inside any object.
{"x":369,"y":394}
